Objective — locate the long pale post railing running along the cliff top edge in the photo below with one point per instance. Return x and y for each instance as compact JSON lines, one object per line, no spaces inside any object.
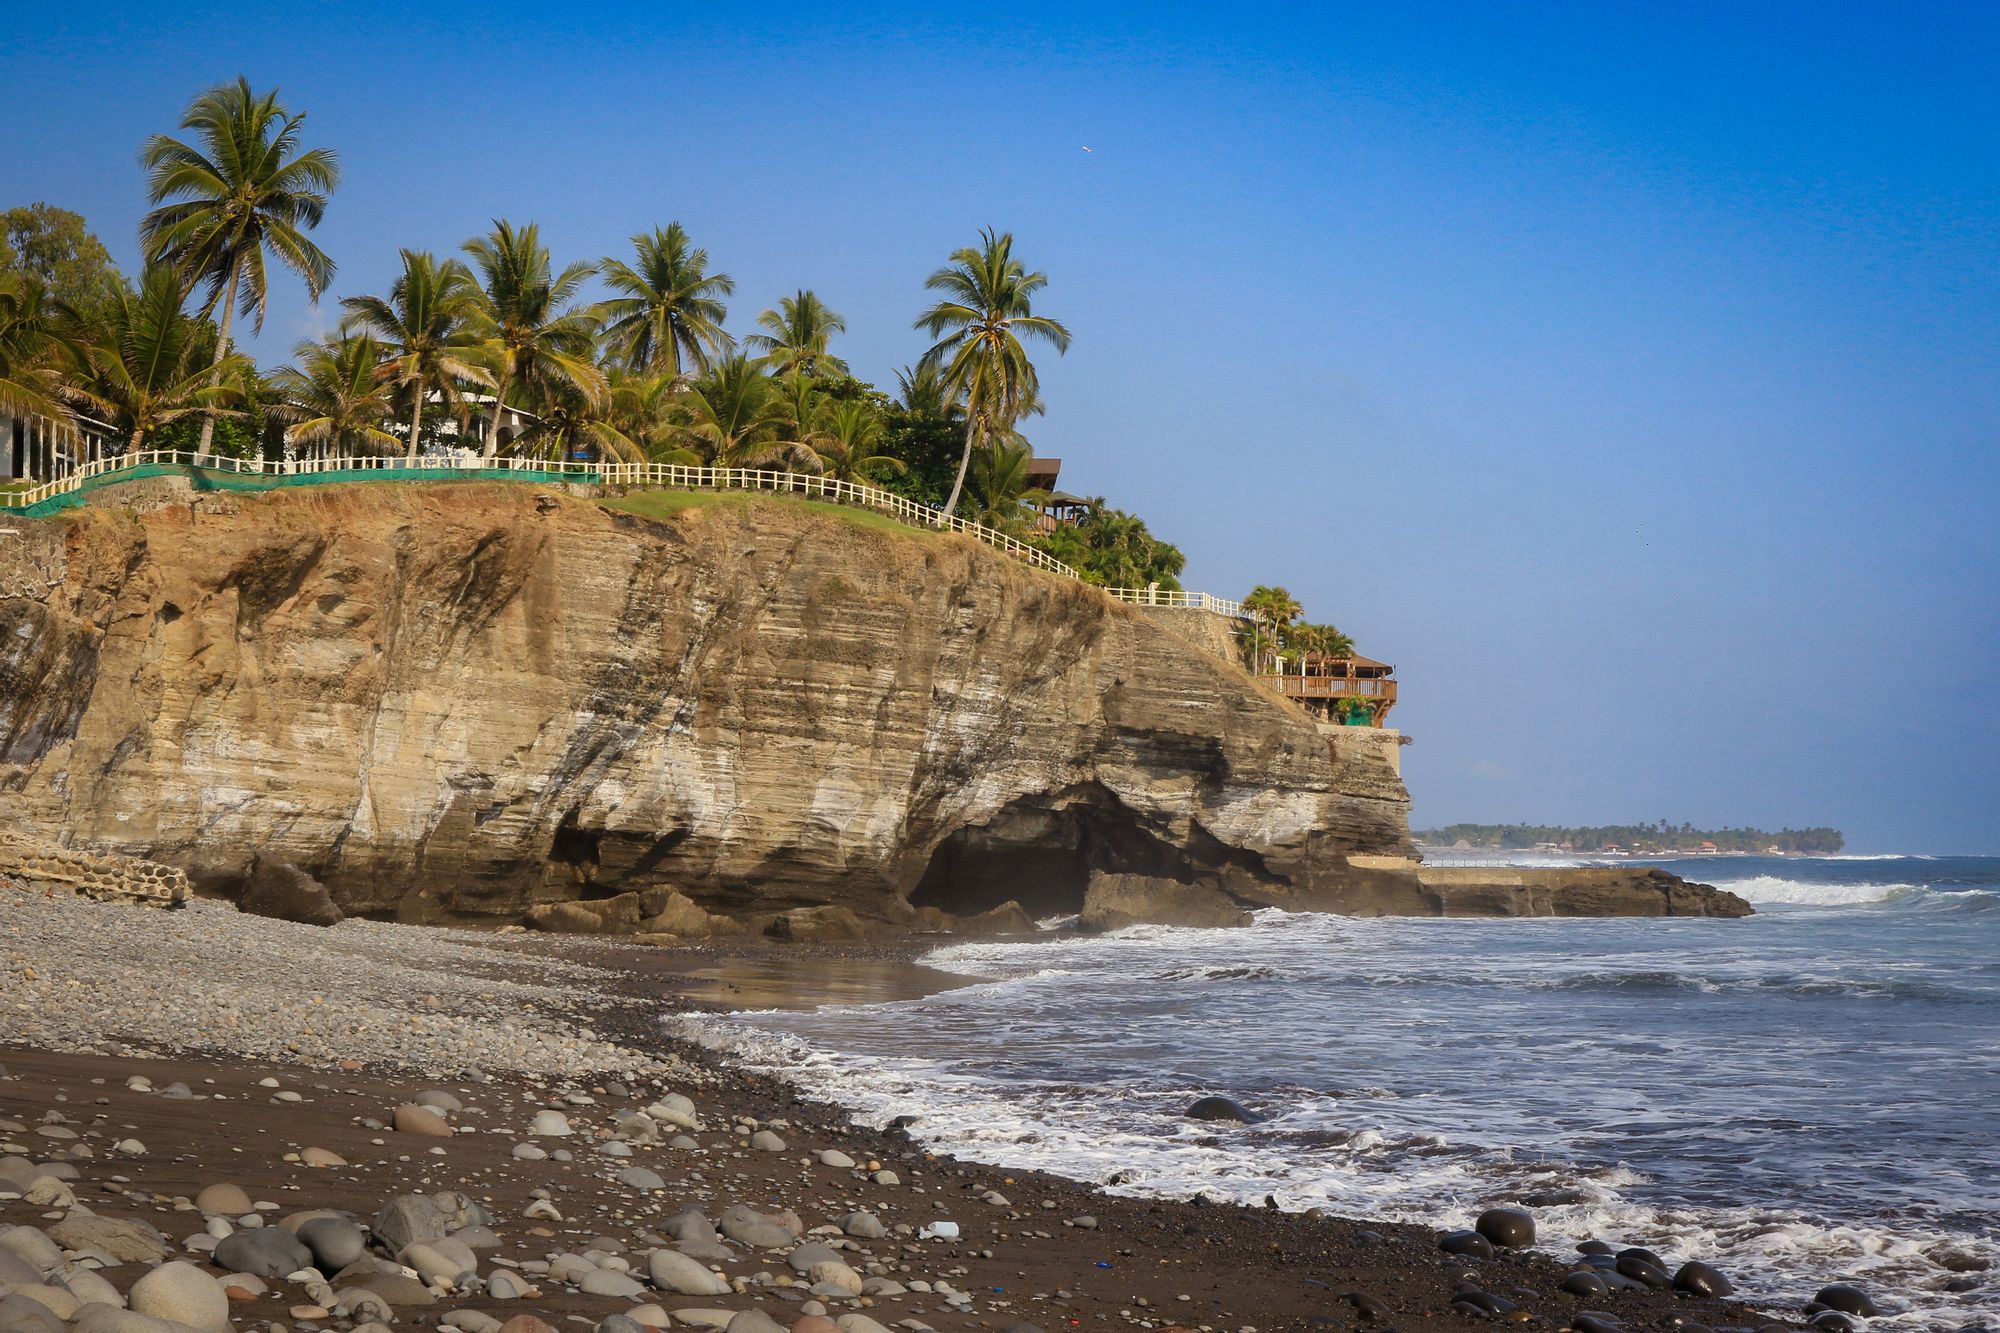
{"x":663,"y":475}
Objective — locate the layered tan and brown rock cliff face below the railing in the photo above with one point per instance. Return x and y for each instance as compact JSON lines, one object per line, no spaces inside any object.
{"x":461,"y":702}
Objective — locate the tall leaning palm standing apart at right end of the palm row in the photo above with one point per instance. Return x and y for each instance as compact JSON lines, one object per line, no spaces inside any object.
{"x":979,"y":325}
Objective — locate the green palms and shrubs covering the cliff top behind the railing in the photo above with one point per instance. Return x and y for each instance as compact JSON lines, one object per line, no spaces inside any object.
{"x":509,"y":353}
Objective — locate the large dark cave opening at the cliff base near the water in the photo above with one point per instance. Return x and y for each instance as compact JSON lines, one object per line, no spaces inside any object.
{"x":1043,"y":856}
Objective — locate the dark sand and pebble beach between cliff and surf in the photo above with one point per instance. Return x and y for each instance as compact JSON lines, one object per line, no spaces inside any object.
{"x":297,"y":1040}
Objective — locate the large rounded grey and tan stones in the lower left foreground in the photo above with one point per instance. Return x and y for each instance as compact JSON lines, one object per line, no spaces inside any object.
{"x":435,"y":1258}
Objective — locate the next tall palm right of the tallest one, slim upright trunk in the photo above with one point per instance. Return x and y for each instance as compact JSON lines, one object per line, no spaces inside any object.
{"x":427,"y":329}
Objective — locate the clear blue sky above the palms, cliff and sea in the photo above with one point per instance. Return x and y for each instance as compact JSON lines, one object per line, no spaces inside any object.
{"x":1625,"y":375}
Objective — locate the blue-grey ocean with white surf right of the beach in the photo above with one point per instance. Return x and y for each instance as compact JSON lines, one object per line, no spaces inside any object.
{"x":1801,"y":1098}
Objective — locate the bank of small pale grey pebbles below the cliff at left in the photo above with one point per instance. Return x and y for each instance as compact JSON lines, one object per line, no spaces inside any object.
{"x":113,"y":980}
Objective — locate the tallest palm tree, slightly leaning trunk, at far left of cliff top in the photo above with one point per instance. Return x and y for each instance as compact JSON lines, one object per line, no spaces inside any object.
{"x":233,"y":195}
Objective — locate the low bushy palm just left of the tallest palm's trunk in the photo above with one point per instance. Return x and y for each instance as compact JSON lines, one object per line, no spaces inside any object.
{"x":151,"y":363}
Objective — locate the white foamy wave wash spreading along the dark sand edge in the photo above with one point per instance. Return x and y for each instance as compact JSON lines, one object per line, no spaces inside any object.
{"x":1135,"y":1144}
